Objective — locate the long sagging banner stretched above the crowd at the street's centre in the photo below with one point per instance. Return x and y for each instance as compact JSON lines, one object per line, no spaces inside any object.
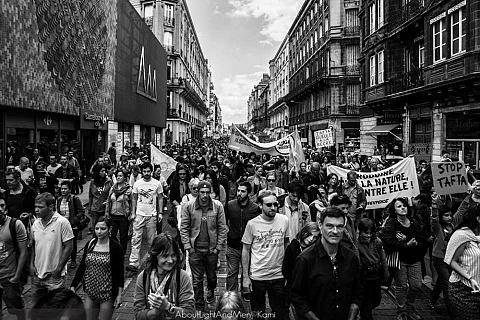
{"x":240,"y":142}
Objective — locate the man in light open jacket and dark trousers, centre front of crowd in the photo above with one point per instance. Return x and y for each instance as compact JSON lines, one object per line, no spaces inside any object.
{"x":203,"y":231}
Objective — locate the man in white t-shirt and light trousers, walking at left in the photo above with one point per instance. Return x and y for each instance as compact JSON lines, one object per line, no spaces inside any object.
{"x":147,"y":203}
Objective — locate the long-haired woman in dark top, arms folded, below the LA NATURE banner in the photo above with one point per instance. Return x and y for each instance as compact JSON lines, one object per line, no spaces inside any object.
{"x":401,"y":234}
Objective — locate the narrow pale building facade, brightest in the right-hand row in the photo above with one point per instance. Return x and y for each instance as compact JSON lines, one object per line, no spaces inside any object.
{"x":279,"y":76}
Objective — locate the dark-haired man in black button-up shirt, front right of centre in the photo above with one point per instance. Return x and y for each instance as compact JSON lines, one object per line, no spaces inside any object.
{"x":327,"y":281}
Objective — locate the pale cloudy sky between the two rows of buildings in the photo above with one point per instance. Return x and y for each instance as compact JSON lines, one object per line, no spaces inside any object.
{"x":239,"y":37}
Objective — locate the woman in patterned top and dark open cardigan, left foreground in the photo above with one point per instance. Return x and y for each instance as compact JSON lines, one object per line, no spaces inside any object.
{"x":101,"y":272}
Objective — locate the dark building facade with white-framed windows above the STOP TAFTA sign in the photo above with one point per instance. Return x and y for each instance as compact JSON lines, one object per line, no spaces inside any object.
{"x":421,"y":69}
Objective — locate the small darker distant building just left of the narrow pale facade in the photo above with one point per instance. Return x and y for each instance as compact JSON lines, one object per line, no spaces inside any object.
{"x":257,"y":103}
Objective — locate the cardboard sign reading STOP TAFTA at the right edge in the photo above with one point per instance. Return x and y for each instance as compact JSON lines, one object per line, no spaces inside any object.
{"x":449,"y":177}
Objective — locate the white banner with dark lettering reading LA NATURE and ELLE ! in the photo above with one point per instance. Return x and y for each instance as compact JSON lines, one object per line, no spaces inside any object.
{"x":381,"y":187}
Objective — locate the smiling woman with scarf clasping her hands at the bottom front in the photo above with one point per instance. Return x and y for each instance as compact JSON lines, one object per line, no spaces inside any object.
{"x":163,"y":289}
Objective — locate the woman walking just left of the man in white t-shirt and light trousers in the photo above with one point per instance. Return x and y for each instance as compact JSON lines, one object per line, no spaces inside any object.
{"x":119,"y":209}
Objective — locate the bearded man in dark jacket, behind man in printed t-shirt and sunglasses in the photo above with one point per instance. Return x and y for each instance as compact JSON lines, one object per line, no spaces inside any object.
{"x":237,"y":213}
